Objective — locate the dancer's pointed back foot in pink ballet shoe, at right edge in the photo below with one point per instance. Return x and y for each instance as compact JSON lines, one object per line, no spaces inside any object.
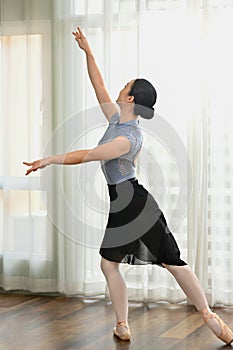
{"x":223,"y":332}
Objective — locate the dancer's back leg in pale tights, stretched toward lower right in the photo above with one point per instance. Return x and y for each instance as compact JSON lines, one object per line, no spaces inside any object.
{"x":189,"y":283}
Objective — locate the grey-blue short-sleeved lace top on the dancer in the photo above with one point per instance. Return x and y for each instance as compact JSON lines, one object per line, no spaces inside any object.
{"x":122,"y":168}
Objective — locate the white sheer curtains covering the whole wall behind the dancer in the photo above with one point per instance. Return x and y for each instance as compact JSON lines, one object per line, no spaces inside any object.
{"x":181,"y":46}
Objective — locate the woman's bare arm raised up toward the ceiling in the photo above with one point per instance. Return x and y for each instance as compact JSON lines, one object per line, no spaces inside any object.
{"x":107,"y":105}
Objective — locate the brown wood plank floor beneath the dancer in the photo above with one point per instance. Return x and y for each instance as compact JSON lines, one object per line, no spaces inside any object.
{"x":31,"y":322}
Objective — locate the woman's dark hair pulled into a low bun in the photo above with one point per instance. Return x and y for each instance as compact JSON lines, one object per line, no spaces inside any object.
{"x":145,"y":97}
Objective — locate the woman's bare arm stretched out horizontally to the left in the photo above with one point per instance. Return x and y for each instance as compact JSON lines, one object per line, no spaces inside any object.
{"x":110,"y":150}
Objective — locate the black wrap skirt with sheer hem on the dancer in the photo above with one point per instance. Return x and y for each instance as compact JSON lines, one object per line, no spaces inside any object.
{"x":136,"y":231}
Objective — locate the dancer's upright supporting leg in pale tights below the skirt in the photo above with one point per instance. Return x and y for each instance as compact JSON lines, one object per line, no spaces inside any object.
{"x":117,"y":289}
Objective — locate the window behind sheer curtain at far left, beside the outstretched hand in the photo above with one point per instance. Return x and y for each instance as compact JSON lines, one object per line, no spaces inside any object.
{"x":26,"y":111}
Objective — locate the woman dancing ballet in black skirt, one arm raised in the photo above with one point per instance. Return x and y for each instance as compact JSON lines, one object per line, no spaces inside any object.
{"x":136,"y":231}
